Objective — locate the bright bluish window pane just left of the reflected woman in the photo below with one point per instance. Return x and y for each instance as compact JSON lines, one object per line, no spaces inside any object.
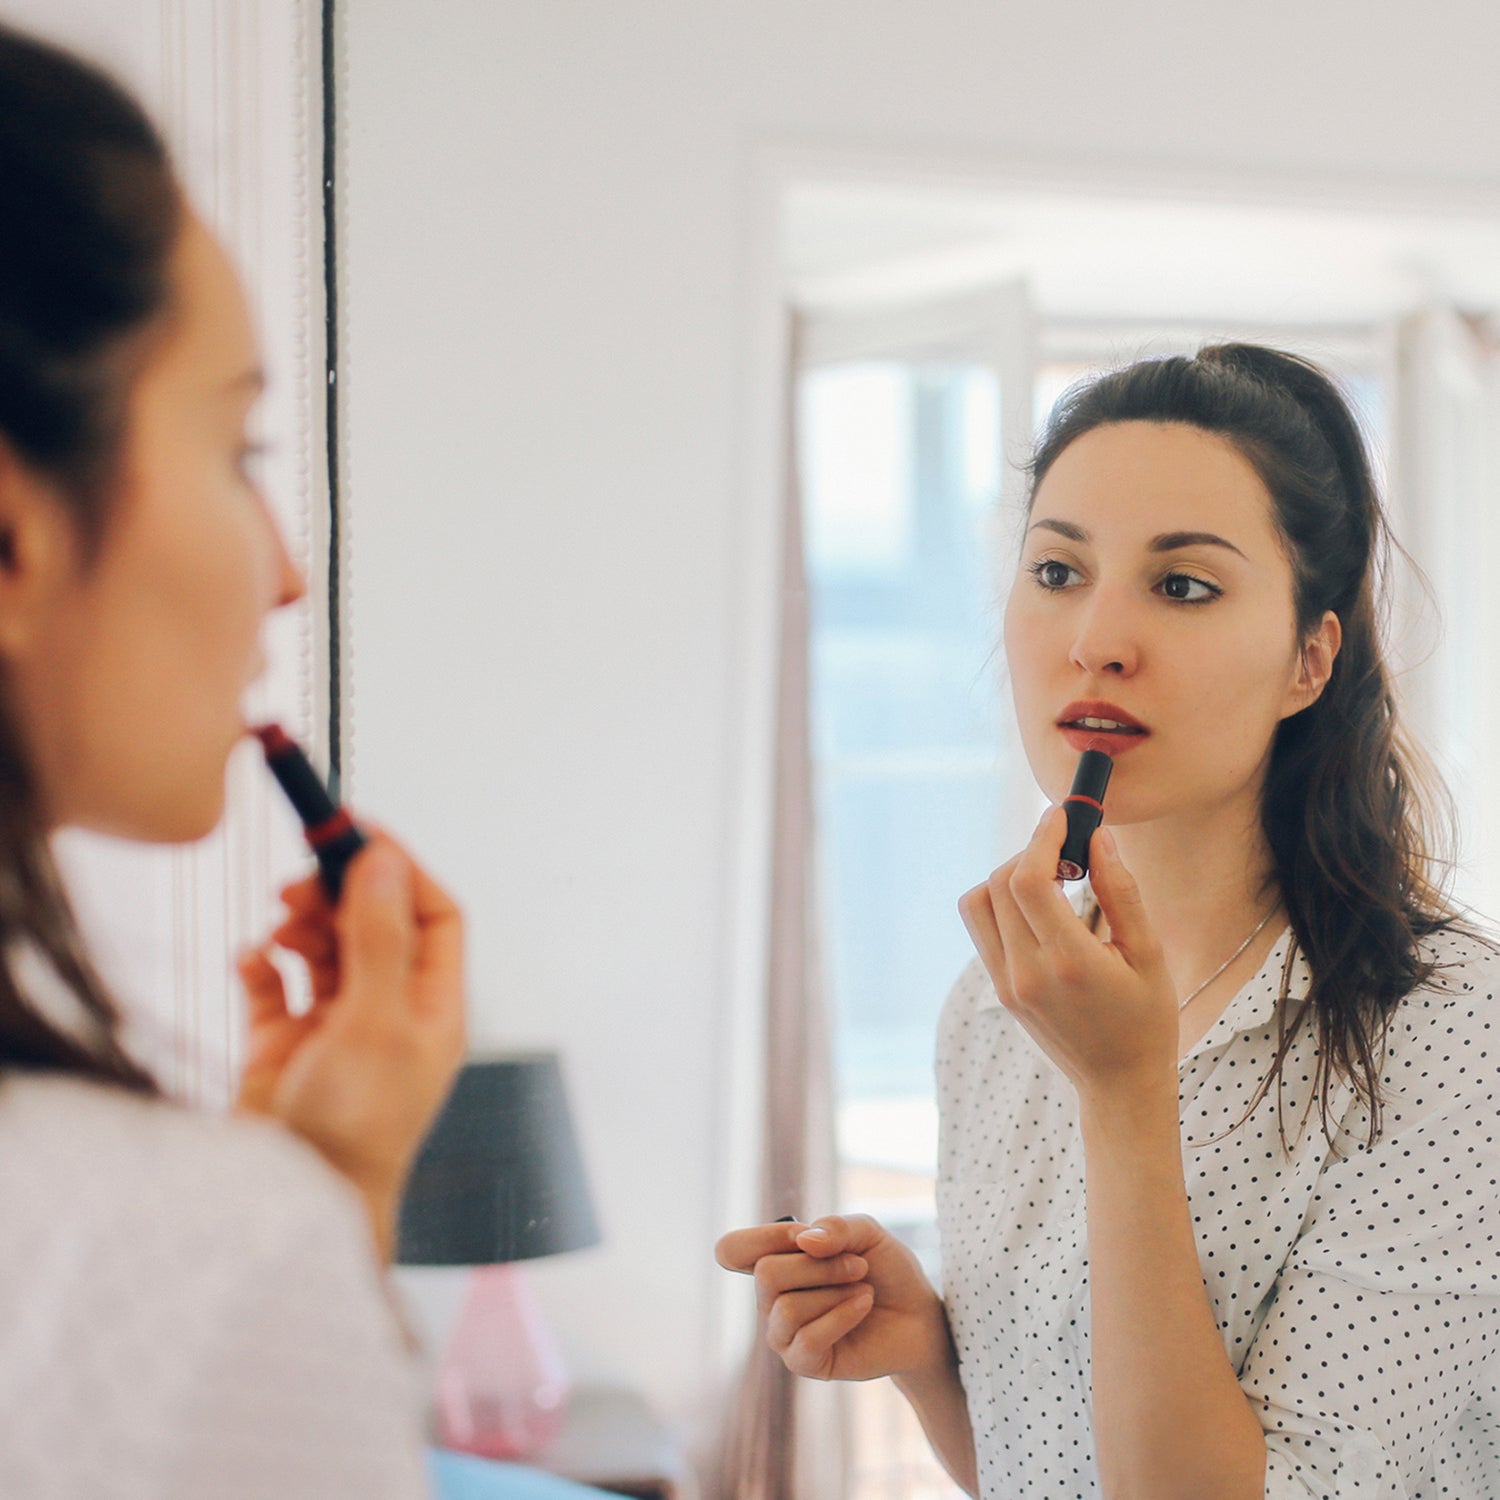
{"x":901,"y":481}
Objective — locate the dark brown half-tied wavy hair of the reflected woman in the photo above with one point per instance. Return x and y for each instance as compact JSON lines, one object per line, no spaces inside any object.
{"x":1355,"y":820}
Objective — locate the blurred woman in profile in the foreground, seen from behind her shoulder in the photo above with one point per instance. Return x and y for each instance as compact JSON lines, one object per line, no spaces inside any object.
{"x":190,"y":1307}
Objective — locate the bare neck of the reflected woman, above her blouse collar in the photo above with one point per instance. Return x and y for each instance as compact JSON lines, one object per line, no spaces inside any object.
{"x":1205,"y":880}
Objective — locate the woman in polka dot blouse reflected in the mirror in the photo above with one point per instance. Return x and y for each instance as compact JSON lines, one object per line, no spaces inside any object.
{"x":1219,"y":1174}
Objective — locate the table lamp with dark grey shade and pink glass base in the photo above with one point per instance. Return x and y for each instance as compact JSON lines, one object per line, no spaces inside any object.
{"x":499,"y":1181}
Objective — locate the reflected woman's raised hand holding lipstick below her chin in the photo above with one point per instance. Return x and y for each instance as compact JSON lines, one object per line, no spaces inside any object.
{"x":1103,"y":1012}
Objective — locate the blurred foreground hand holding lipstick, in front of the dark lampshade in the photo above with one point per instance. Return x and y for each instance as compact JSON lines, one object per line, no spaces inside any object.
{"x":365,"y":1070}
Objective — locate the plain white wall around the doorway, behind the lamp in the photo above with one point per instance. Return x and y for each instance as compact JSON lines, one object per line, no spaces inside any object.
{"x":556,"y":373}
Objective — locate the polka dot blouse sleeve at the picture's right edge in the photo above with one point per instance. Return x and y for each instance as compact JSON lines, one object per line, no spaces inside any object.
{"x":1387,"y":1316}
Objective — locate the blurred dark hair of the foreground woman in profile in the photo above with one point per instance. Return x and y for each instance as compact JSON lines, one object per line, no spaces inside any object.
{"x":89,"y":215}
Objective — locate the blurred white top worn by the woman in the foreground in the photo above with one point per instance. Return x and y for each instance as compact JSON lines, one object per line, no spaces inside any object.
{"x":202,"y":1288}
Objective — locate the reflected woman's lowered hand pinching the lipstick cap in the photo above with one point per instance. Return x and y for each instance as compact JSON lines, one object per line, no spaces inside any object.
{"x":844,"y":1298}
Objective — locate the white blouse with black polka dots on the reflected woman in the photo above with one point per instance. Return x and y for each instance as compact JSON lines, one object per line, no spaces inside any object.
{"x":1357,"y":1289}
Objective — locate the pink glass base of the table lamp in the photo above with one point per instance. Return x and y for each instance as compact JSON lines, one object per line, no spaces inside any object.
{"x":502,"y":1387}
